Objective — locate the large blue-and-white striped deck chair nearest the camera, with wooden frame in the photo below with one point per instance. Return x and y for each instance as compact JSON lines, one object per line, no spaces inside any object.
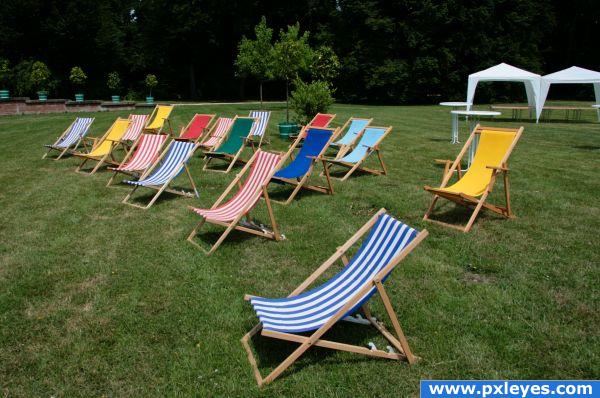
{"x":348,"y":292}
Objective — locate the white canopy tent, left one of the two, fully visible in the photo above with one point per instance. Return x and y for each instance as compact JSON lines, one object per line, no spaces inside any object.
{"x":506,"y":73}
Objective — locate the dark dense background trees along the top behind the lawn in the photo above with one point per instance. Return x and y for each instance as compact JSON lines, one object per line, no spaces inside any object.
{"x":407,"y":51}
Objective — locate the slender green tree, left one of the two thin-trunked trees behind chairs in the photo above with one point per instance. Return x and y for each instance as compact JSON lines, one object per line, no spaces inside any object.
{"x":255,"y":57}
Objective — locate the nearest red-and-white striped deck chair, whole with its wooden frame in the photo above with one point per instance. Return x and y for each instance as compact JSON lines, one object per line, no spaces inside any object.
{"x":229,"y":214}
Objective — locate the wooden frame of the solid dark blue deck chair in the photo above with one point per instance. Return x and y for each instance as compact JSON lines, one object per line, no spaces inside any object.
{"x":302,"y":182}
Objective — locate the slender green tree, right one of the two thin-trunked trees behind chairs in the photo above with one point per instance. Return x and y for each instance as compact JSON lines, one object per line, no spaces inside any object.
{"x":291,"y":56}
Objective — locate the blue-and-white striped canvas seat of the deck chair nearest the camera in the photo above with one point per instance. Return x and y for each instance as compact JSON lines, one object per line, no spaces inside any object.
{"x":312,"y":309}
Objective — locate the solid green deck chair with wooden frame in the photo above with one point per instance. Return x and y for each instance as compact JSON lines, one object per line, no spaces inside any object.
{"x":233,"y":146}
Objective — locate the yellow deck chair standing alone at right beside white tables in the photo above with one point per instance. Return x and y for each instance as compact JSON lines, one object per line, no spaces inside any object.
{"x":472,"y":188}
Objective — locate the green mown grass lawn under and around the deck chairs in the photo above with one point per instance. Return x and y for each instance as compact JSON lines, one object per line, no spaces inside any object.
{"x":102,"y":299}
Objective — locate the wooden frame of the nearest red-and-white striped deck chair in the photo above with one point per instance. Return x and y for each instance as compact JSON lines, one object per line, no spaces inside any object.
{"x":274,"y":234}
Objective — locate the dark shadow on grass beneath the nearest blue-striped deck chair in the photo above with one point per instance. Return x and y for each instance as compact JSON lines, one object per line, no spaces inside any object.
{"x":271,"y":352}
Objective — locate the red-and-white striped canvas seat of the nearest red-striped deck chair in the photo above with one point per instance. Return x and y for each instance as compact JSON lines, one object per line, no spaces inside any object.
{"x":250,"y":192}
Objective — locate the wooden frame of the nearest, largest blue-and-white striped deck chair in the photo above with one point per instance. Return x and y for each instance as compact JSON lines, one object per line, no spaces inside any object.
{"x":396,"y":339}
